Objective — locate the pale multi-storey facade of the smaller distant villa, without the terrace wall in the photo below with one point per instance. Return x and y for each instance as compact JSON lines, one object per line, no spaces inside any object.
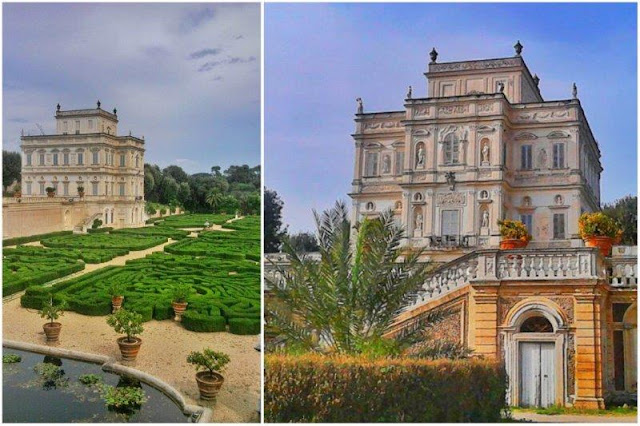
{"x":86,"y":152}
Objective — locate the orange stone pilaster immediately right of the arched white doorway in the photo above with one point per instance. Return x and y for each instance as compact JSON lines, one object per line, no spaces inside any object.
{"x":589,"y":392}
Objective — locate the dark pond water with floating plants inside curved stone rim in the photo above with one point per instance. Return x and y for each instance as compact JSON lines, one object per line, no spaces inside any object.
{"x":28,"y":397}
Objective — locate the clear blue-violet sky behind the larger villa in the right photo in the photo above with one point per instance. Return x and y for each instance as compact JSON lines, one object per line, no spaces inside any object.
{"x":320,"y":57}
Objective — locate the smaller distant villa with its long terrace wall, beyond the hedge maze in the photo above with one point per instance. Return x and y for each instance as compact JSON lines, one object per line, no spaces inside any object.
{"x":85,"y":171}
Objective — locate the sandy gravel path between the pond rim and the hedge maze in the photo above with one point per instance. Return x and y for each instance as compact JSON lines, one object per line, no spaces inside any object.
{"x":164,"y":350}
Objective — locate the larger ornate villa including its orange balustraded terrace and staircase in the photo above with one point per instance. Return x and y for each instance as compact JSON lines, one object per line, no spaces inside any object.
{"x":485,"y":146}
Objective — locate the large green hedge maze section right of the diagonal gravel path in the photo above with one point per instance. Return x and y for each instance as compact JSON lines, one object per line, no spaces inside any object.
{"x":222,"y":269}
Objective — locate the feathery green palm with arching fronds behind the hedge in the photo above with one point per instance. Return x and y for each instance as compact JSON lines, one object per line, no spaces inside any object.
{"x":346,"y":301}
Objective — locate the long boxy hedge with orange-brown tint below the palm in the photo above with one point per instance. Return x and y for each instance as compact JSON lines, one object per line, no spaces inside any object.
{"x":357,"y":390}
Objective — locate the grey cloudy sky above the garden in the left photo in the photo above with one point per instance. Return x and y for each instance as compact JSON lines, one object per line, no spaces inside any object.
{"x":184,"y":76}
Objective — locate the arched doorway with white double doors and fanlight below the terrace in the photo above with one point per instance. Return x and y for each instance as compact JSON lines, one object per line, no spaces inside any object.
{"x":535,"y":355}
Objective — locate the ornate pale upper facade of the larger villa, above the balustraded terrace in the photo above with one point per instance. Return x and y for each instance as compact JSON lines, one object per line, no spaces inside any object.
{"x":482,"y":146}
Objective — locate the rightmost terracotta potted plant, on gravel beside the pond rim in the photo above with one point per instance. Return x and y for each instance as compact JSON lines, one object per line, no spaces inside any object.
{"x":211,"y":363}
